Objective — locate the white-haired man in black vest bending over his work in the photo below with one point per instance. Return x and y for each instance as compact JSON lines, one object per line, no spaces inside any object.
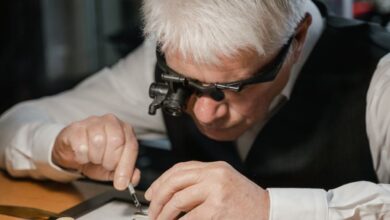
{"x":252,"y":100}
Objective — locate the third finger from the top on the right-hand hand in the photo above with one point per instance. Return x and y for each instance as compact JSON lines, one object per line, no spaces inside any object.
{"x":183,"y":201}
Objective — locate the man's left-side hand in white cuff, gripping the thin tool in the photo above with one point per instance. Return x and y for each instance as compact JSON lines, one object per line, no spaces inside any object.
{"x":102,"y":148}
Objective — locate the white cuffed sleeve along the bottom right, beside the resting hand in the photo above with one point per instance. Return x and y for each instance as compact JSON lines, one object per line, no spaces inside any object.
{"x":358,"y":200}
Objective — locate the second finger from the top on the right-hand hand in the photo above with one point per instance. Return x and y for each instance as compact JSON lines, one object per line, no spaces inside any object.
{"x":177,"y":182}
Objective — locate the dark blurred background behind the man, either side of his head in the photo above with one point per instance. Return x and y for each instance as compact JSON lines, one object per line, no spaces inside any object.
{"x":47,"y":46}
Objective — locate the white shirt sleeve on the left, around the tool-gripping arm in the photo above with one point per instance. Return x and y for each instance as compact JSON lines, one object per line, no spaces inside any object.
{"x":28,"y":130}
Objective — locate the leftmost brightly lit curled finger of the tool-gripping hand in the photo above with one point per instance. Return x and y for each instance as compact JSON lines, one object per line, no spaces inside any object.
{"x":79,"y":143}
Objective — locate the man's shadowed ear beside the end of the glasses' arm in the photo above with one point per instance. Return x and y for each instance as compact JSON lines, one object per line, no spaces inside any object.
{"x":300,"y":36}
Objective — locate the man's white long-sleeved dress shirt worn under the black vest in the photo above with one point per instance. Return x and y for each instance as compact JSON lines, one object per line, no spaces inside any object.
{"x":28,"y":131}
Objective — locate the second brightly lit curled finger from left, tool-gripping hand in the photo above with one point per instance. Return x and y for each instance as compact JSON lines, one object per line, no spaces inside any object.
{"x":96,"y":143}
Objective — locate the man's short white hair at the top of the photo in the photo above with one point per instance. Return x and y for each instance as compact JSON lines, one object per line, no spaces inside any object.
{"x":207,"y":29}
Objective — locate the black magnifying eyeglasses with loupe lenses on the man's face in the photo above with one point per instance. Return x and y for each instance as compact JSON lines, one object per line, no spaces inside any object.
{"x":173,"y":92}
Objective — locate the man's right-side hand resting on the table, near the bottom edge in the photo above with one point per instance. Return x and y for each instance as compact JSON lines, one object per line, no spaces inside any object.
{"x":206,"y":191}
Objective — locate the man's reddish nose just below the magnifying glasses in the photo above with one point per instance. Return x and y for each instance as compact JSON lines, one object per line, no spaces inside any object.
{"x":207,"y":110}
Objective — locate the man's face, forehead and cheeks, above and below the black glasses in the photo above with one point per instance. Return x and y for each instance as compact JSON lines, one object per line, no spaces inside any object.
{"x":231,"y":117}
